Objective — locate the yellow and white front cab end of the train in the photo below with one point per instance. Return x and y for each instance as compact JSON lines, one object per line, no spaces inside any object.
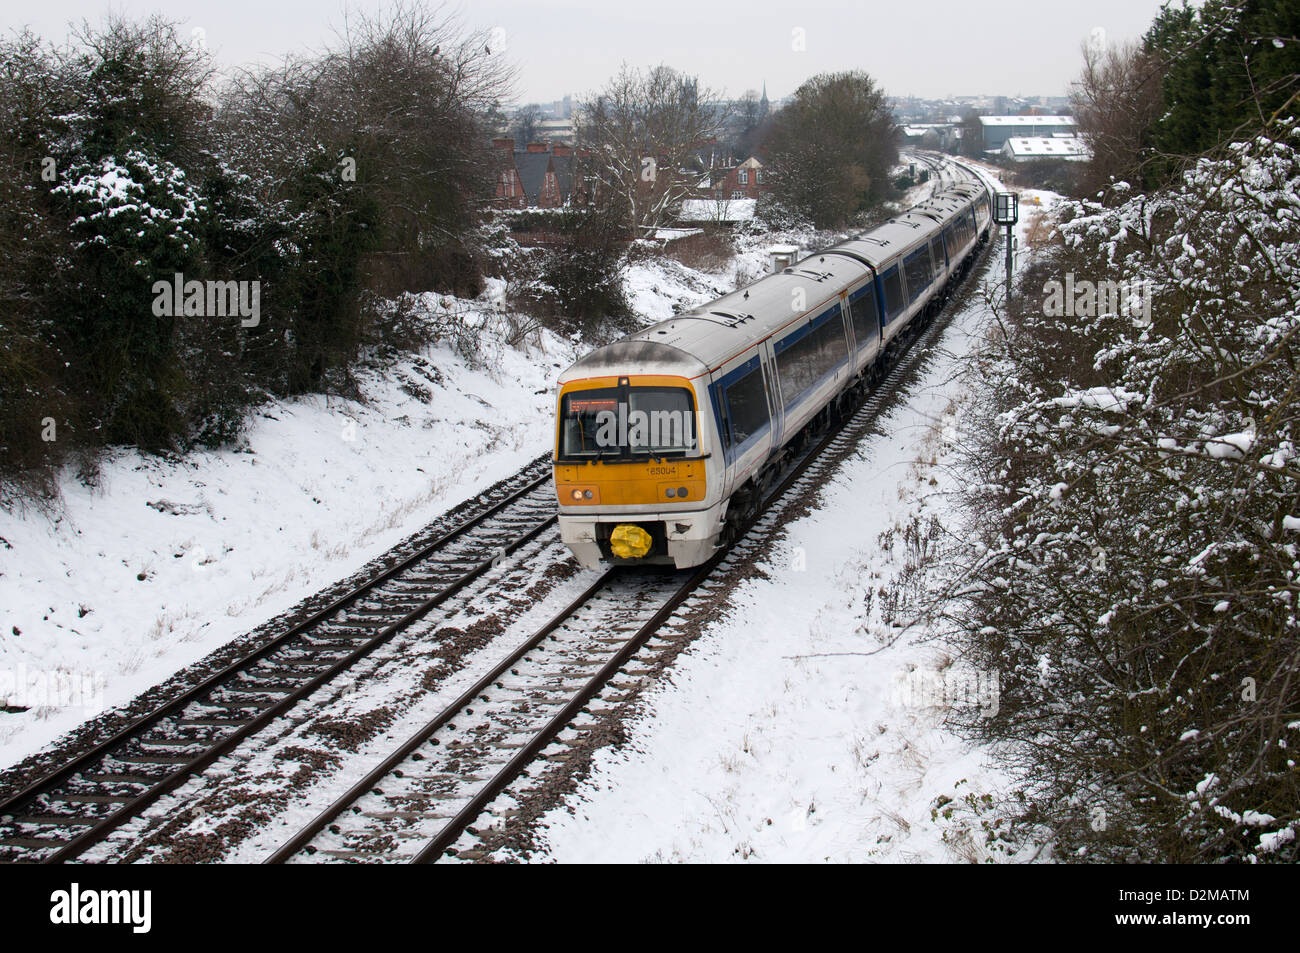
{"x":634,"y":479}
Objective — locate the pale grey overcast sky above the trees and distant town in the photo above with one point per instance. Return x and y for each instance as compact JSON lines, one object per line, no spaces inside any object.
{"x":912,"y":47}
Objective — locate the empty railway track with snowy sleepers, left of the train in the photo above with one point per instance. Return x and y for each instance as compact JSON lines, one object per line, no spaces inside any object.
{"x":67,"y":812}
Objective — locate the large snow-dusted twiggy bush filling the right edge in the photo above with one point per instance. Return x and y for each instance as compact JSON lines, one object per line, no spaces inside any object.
{"x":1138,"y":523}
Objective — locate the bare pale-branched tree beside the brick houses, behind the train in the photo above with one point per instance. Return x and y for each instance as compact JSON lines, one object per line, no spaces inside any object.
{"x":642,"y":131}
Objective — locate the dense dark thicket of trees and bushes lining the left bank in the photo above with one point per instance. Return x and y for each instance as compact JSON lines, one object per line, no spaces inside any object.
{"x":361,"y":170}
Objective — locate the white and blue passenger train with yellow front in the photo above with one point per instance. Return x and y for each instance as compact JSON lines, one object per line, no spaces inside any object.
{"x":669,"y":440}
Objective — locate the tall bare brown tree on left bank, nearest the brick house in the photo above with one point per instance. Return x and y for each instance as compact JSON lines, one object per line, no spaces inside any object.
{"x":398,"y":106}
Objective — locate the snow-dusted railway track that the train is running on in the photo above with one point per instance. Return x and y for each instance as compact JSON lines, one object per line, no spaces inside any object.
{"x":452,"y":774}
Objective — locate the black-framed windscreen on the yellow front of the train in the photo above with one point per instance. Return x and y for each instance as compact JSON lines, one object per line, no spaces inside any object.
{"x":612,"y":423}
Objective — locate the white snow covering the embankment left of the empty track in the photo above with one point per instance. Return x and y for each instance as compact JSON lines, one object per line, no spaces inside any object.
{"x":168,"y":560}
